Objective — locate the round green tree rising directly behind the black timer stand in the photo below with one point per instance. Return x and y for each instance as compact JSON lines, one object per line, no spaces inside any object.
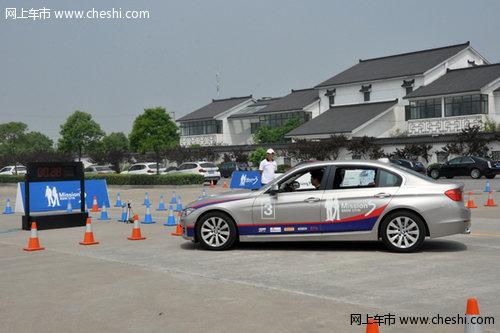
{"x":80,"y":134}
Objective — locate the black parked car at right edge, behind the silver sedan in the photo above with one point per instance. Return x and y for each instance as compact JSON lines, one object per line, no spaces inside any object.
{"x":473,"y":166}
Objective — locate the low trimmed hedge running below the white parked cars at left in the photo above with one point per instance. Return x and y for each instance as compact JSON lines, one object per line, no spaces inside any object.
{"x":149,"y":179}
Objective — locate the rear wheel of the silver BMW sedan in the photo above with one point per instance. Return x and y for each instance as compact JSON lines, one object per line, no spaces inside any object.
{"x":403,"y":232}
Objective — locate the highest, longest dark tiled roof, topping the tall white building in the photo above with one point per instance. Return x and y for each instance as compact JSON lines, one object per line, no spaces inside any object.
{"x":400,"y":65}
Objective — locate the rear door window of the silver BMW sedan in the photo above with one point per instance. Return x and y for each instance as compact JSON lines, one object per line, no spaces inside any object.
{"x":354,"y":177}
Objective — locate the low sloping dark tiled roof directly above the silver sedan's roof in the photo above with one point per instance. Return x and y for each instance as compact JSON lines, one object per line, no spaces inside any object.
{"x":341,"y":119}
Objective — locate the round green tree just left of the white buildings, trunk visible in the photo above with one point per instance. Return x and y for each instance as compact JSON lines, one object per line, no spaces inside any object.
{"x":154,"y":131}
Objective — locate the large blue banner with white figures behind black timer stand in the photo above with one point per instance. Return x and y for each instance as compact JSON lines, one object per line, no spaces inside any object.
{"x":49,"y":196}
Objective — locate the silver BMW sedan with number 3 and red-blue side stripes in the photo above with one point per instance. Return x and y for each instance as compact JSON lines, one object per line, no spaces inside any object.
{"x":334,"y":200}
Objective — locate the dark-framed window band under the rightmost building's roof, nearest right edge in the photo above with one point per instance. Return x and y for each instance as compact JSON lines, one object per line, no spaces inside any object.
{"x":466,"y":105}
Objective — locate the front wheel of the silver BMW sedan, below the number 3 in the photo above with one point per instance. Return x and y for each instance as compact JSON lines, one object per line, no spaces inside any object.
{"x":216,"y":231}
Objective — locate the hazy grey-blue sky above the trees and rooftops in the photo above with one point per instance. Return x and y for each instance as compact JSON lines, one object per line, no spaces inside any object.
{"x":114,"y":68}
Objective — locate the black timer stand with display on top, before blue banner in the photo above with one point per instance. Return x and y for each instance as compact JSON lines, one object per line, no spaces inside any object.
{"x":54,"y":171}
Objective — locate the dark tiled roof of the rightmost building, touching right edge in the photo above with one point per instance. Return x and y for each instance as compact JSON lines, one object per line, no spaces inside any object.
{"x":470,"y":79}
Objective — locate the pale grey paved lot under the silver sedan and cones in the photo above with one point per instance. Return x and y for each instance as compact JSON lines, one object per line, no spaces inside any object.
{"x":168,"y":284}
